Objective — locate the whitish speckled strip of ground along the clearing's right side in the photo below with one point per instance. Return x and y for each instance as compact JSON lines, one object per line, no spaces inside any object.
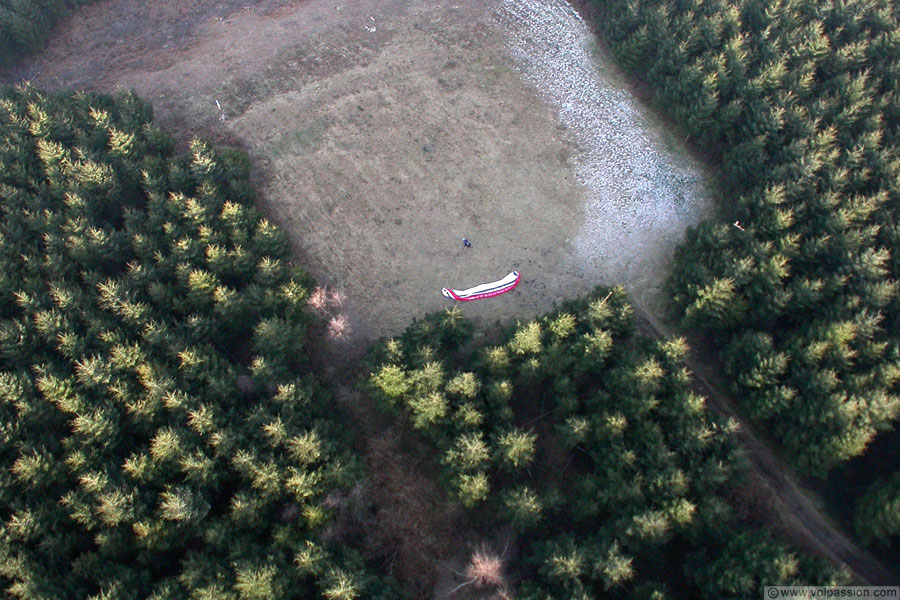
{"x":641,"y":188}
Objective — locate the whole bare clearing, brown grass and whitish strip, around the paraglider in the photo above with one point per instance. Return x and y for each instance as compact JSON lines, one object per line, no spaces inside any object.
{"x":419,"y":130}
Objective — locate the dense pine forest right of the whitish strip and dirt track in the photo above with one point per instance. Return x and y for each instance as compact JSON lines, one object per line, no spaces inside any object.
{"x":797,"y":286}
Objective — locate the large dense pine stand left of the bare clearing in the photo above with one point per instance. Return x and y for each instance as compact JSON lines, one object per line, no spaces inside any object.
{"x":161,"y":435}
